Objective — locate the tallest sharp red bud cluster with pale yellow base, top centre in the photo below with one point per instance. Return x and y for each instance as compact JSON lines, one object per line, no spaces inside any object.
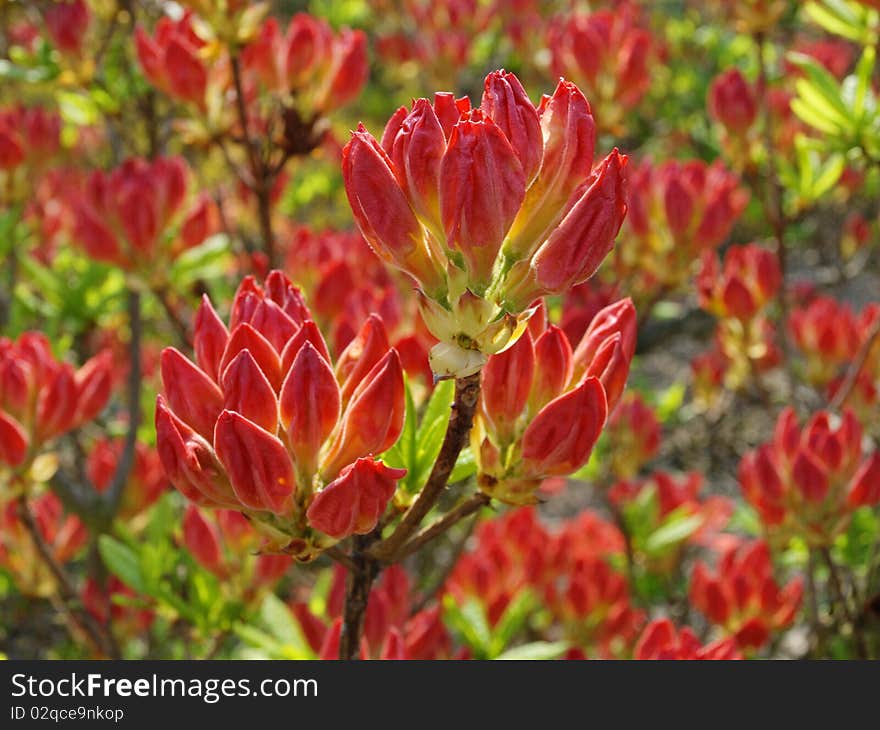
{"x":486,"y":208}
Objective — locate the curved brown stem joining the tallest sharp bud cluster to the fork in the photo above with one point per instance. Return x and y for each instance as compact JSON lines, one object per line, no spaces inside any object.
{"x":461,"y":418}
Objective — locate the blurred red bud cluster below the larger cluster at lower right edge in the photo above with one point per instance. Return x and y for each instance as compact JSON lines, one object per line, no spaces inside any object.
{"x":743,"y":597}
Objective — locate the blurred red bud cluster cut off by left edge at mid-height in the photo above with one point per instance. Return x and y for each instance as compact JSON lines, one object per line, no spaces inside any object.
{"x":42,"y":398}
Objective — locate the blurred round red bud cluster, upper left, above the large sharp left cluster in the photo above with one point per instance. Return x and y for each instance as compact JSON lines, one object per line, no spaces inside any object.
{"x":130,"y":216}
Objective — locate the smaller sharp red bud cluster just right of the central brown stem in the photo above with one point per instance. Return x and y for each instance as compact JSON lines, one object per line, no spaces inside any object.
{"x":542,"y":406}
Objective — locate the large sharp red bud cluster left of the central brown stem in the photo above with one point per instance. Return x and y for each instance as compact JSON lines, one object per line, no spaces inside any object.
{"x":263,"y":423}
